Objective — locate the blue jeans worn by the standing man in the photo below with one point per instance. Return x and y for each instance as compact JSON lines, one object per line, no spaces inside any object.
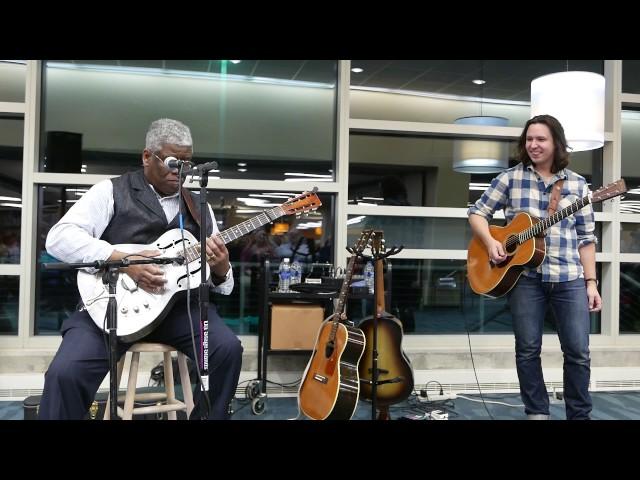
{"x":529,"y":300}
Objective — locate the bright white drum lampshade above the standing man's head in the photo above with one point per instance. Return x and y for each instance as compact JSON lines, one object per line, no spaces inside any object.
{"x":576,"y":99}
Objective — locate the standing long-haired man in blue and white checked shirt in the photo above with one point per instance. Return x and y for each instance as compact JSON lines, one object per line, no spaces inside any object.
{"x":566,"y":279}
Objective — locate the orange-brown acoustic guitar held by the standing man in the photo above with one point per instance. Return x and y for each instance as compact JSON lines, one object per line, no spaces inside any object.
{"x":524,"y":245}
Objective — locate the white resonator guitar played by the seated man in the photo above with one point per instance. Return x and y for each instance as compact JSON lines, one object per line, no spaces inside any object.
{"x":139,"y":312}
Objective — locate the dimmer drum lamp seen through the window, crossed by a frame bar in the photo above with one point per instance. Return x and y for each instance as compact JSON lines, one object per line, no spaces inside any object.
{"x":480,"y":156}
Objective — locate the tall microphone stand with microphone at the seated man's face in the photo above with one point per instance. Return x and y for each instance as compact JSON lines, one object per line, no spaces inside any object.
{"x":203,"y":172}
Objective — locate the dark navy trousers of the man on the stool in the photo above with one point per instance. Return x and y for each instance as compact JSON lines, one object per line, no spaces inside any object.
{"x":82,"y":361}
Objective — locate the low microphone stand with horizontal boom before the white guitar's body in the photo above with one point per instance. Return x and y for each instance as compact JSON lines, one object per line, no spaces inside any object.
{"x":110,"y":272}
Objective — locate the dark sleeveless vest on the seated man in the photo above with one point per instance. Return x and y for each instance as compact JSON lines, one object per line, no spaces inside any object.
{"x":138,"y":216}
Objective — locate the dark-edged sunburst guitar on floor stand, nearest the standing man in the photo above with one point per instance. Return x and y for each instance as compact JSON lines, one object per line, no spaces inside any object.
{"x":395,"y":375}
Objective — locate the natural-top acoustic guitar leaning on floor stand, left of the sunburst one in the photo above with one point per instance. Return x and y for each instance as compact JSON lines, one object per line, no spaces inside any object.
{"x":330,"y":384}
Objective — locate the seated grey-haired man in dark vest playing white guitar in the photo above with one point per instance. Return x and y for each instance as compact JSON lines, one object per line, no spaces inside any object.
{"x":136,"y":208}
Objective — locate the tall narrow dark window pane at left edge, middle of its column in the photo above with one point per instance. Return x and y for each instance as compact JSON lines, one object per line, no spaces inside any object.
{"x":11,"y":139}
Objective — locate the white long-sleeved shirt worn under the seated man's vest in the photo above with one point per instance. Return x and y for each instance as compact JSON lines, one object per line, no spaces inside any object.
{"x":76,"y":237}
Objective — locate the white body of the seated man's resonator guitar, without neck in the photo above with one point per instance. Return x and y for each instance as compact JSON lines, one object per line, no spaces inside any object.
{"x":139,"y":312}
